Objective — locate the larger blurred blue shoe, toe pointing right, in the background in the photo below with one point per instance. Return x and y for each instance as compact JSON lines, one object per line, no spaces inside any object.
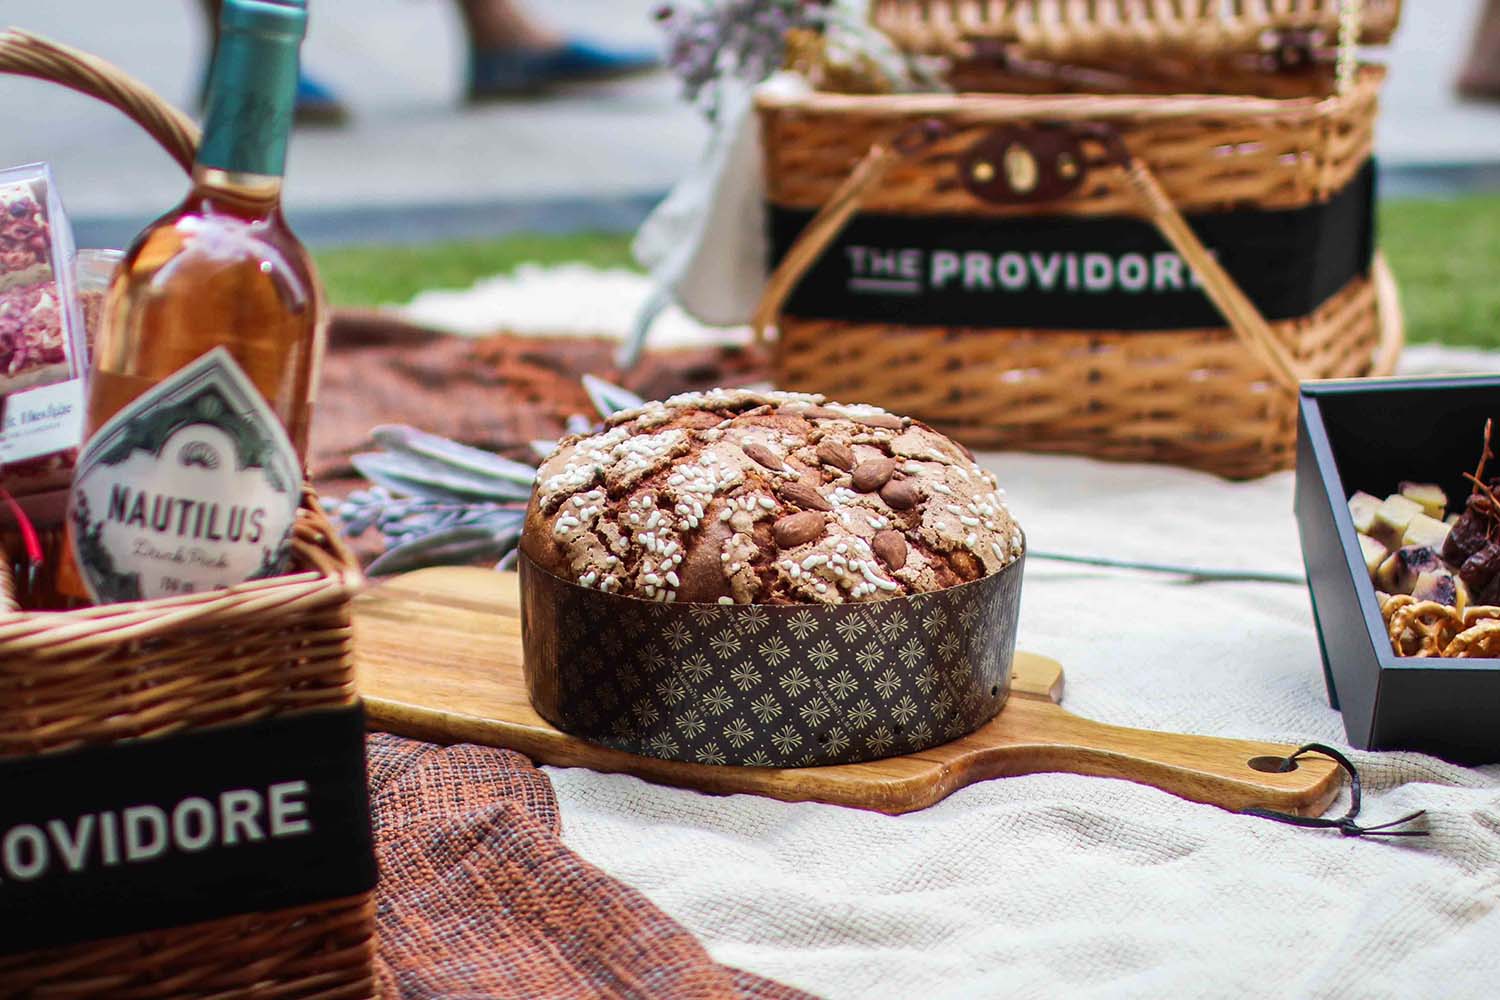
{"x":515,"y":73}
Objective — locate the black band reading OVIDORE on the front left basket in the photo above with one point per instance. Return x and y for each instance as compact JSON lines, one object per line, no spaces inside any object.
{"x":161,"y":833}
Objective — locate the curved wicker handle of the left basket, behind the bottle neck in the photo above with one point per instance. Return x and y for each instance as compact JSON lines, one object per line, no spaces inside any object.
{"x":26,"y":55}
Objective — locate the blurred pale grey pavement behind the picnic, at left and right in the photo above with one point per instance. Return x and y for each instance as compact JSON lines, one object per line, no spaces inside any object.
{"x":419,"y":166}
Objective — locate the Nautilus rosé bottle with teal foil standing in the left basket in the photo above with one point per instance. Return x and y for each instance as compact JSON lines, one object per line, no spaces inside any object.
{"x":208,"y":356}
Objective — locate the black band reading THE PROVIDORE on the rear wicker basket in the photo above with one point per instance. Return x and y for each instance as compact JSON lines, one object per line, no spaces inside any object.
{"x":1078,"y":272}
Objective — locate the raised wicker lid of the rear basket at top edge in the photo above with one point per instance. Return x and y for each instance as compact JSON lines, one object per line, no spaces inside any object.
{"x":1069,"y":31}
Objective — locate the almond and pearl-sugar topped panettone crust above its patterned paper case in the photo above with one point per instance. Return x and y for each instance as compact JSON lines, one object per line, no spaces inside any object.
{"x":737,"y":497}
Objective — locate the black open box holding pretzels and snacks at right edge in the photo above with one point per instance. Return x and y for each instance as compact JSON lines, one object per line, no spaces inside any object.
{"x":1369,"y":436}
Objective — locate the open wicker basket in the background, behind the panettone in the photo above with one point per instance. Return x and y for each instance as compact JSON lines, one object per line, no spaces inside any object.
{"x":1220,"y":398}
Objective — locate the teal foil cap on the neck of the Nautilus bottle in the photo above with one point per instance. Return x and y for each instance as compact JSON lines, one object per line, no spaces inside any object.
{"x":253,"y":86}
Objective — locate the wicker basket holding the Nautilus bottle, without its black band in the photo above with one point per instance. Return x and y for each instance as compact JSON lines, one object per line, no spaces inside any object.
{"x":152,"y":669}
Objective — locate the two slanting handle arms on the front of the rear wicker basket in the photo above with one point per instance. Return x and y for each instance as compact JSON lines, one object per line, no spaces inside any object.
{"x":1223,"y":292}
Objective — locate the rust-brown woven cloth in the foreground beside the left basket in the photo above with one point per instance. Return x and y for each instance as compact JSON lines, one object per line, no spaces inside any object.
{"x":479,"y":897}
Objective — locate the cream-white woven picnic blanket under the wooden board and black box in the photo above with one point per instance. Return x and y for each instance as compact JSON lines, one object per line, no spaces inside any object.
{"x":1070,"y":887}
